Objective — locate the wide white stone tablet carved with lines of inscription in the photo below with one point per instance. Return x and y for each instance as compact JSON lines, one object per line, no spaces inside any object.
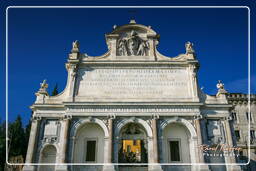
{"x":133,"y":83}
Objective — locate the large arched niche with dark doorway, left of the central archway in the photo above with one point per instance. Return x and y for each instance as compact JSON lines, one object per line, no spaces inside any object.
{"x":89,"y":144}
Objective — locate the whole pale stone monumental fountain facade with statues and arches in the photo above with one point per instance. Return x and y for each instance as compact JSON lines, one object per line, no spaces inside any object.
{"x":132,"y":92}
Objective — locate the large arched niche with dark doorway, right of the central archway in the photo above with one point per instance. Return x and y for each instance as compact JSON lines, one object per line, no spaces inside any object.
{"x":176,"y":144}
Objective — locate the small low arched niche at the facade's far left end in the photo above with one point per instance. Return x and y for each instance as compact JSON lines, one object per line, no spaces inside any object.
{"x":48,"y":155}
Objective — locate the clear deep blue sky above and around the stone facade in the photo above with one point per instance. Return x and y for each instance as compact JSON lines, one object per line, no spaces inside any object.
{"x":40,"y":40}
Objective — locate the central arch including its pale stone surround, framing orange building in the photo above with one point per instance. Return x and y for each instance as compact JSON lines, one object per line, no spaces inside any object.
{"x":129,"y":131}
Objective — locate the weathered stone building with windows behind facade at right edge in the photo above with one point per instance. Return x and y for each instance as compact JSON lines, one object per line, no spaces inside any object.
{"x":244,"y":133}
